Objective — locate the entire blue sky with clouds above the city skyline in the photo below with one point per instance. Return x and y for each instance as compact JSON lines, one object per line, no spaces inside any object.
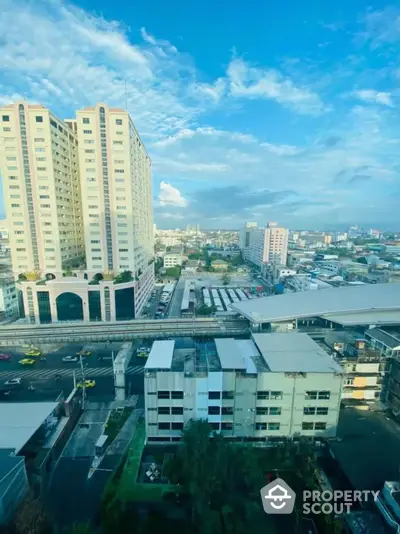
{"x":285,"y":111}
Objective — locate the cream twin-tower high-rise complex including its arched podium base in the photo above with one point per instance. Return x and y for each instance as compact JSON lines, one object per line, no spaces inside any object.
{"x":81,"y":220}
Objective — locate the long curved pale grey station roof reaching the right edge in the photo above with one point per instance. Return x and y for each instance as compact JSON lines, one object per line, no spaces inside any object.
{"x":372,"y":298}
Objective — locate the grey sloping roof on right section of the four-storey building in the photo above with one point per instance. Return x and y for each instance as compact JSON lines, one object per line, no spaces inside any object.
{"x":294,"y":353}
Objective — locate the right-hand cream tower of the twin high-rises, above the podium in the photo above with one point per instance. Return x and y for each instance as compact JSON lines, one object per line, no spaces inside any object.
{"x":116,"y":191}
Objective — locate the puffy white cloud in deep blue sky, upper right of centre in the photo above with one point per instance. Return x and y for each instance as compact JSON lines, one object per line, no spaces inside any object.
{"x":251,"y":82}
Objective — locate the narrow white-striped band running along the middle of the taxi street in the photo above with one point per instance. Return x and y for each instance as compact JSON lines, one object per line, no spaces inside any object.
{"x":51,"y":373}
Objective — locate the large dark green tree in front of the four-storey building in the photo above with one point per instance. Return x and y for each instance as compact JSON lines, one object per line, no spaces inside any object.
{"x":223,"y":481}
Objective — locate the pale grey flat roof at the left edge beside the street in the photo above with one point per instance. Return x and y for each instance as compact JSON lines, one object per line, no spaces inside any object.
{"x":20,"y":420}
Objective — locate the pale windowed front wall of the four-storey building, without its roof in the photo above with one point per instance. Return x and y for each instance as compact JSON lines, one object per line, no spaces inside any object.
{"x":287,"y":394}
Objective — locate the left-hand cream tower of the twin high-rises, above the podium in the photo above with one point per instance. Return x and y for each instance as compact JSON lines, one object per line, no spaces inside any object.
{"x":39,"y":165}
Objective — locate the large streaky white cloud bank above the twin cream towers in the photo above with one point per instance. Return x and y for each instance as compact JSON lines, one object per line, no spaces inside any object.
{"x":70,"y":59}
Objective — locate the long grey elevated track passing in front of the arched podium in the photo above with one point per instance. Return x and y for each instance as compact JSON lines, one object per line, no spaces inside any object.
{"x":11,"y":335}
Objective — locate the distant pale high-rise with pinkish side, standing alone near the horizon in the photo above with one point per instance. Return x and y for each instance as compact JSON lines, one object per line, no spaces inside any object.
{"x":265,"y":245}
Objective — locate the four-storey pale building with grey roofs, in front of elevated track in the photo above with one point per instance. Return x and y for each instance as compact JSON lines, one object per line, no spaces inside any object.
{"x":269,"y":387}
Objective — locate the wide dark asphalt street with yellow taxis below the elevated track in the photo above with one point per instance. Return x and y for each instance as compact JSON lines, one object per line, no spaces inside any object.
{"x":48,"y":376}
